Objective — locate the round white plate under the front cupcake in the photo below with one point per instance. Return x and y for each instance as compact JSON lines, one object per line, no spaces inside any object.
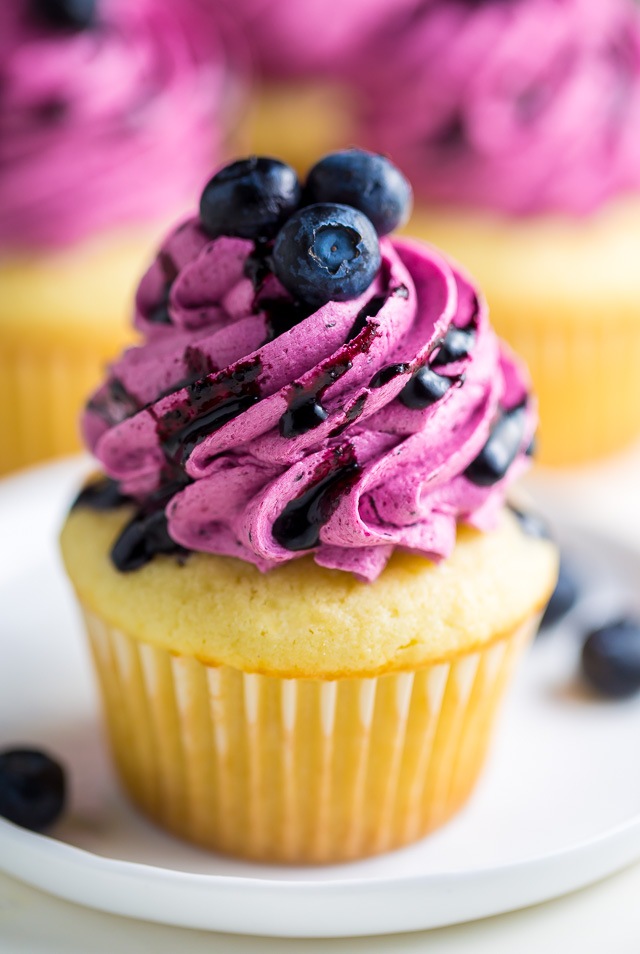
{"x":557,"y":808}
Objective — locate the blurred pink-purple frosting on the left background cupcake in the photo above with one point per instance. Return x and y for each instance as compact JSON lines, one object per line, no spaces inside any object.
{"x":110,"y":125}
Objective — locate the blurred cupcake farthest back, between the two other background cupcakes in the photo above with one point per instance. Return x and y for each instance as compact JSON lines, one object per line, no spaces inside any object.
{"x":303,"y":54}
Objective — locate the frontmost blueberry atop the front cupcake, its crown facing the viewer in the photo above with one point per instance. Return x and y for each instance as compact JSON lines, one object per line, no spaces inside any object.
{"x":326,"y":253}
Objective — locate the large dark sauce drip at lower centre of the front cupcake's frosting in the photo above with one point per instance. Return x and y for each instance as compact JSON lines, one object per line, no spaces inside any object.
{"x":298,"y":526}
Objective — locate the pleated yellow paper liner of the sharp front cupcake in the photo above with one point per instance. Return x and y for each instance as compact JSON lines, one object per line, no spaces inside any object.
{"x":298,"y":770}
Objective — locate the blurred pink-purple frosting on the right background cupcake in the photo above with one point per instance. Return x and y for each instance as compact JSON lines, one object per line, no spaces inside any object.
{"x":518,"y":105}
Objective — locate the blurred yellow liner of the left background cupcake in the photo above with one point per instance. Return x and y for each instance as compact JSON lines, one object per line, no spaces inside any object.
{"x":42,"y":392}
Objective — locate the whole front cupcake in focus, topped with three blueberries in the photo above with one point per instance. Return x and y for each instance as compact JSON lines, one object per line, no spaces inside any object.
{"x":302,"y":587}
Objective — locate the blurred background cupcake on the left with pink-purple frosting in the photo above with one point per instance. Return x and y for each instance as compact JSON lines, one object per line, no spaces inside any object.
{"x":111,"y":115}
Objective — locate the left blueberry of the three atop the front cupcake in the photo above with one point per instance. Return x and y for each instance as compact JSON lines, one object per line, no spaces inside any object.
{"x":251,"y":198}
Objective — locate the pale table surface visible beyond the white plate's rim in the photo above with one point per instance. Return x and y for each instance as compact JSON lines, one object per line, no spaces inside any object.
{"x":603,"y":917}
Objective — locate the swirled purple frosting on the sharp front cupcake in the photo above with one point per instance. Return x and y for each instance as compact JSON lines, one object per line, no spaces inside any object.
{"x":201,"y":423}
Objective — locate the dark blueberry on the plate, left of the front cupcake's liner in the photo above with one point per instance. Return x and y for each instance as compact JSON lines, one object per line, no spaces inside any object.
{"x":32,"y":788}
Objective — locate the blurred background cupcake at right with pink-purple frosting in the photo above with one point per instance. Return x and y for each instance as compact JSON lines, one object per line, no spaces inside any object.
{"x":519,"y":124}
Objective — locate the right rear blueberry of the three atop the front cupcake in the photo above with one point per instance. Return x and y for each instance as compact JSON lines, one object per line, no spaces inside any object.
{"x":367,"y":182}
